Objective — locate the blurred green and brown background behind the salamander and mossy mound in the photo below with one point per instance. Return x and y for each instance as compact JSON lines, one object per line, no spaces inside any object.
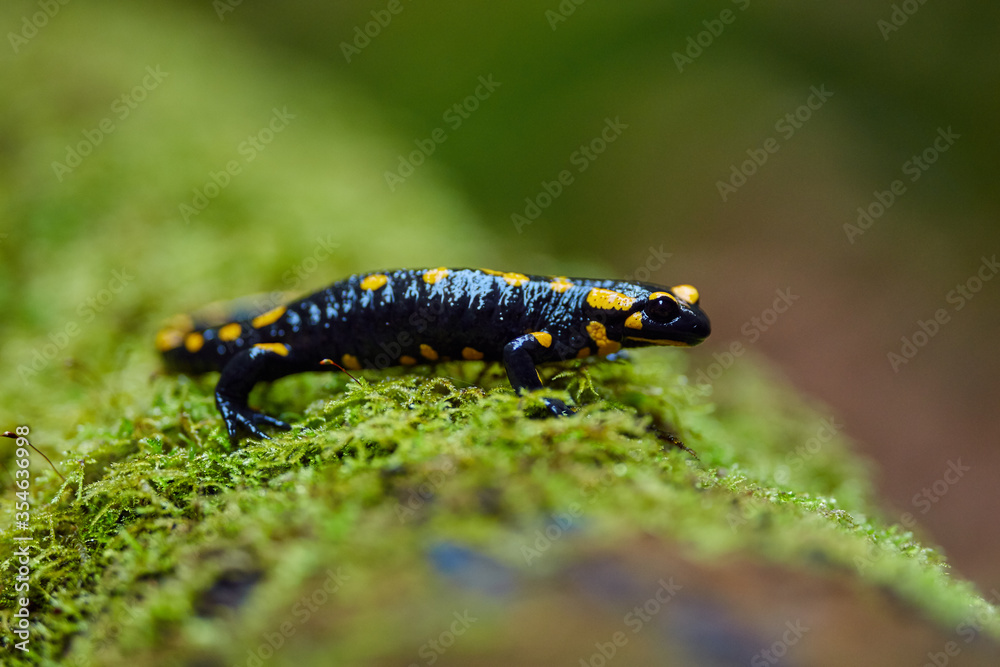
{"x":114,"y":158}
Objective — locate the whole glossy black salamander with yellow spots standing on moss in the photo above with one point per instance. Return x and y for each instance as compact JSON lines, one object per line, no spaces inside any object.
{"x":425,"y":316}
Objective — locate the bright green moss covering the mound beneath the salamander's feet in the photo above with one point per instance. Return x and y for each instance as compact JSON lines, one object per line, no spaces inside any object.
{"x":165,"y":538}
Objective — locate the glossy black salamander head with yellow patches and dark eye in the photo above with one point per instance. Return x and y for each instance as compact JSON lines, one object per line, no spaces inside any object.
{"x":663,"y":316}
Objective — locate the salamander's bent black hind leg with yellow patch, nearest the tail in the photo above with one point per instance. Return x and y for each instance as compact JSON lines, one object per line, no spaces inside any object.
{"x":263,"y":362}
